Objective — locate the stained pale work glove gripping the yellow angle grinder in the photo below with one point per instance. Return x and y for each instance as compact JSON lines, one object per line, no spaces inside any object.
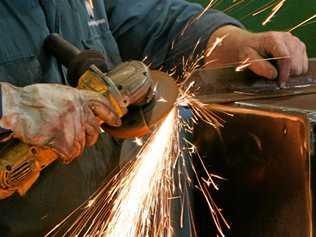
{"x":56,"y":116}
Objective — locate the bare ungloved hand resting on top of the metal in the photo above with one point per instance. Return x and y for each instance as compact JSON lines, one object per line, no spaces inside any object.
{"x":239,"y":45}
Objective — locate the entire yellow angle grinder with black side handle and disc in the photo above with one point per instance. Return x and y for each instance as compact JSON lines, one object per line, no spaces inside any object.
{"x":142,"y":98}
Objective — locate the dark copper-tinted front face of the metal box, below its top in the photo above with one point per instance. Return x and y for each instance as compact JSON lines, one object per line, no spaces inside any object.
{"x":265,"y":158}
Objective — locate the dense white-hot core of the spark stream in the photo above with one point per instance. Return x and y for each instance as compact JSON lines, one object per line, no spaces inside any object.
{"x":137,"y":199}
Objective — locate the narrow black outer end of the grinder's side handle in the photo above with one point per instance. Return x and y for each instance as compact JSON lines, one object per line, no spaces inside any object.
{"x":63,"y":50}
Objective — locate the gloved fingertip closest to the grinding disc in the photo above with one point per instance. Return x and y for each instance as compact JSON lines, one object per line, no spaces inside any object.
{"x":105,"y":113}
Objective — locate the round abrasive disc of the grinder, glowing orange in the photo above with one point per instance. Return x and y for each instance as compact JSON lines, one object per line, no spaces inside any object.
{"x":140,"y":120}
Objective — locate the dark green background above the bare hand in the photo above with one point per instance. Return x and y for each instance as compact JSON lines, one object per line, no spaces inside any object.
{"x":292,"y":13}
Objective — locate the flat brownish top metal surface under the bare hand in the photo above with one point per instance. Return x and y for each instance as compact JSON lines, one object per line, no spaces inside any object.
{"x":226,"y":86}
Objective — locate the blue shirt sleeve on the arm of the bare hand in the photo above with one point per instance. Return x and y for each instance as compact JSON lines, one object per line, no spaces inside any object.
{"x":155,"y":29}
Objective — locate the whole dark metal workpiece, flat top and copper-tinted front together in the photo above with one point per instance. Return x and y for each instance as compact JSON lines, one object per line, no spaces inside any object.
{"x":266,"y":150}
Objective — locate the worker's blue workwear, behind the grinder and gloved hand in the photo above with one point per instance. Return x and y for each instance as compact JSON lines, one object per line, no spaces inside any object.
{"x":122,"y":30}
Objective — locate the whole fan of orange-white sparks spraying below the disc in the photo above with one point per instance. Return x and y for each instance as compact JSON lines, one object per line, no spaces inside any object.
{"x":137,"y":200}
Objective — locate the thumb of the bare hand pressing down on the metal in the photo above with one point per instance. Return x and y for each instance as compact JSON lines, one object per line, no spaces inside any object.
{"x":260,"y":66}
